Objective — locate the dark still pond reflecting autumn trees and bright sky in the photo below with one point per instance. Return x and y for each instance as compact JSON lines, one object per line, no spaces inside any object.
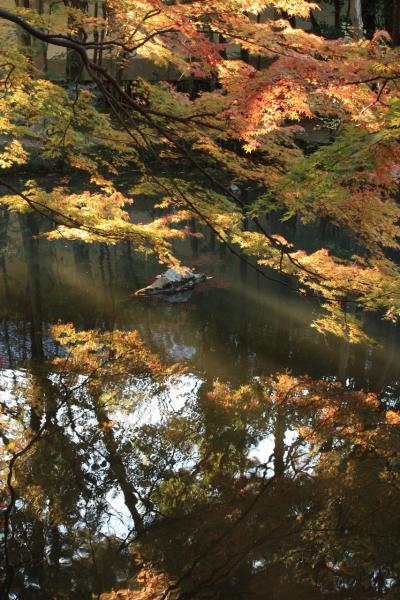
{"x":265,"y":463}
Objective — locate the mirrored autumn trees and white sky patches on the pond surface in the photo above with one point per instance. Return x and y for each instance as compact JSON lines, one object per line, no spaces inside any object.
{"x":286,"y":487}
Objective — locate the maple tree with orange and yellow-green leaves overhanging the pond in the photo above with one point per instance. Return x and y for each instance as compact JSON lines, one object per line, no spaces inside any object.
{"x":242,"y":131}
